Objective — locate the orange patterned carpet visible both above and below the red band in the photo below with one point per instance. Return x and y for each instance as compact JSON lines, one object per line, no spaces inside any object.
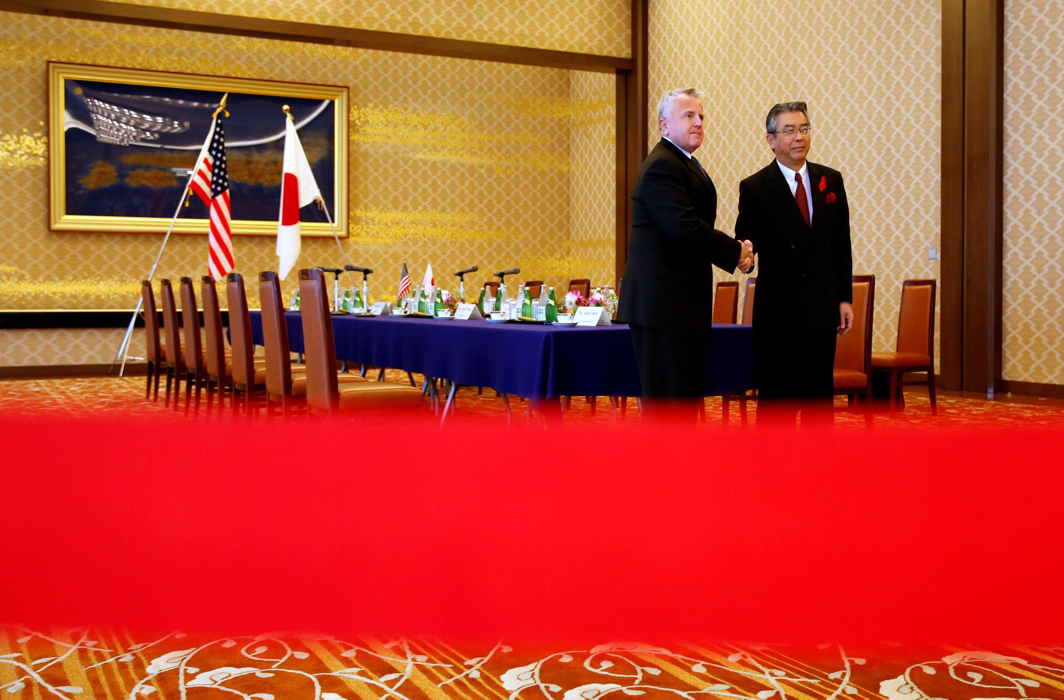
{"x":43,"y":662}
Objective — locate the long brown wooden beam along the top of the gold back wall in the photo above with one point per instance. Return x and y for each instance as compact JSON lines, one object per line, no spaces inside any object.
{"x":308,"y":32}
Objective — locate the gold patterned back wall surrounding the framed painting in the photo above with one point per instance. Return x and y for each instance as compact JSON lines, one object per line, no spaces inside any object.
{"x":452,"y":163}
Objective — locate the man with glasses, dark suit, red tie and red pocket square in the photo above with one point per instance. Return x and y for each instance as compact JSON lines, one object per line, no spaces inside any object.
{"x":796,"y":215}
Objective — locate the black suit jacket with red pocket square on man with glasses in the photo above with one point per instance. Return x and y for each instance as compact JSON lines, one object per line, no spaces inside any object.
{"x":804,"y":272}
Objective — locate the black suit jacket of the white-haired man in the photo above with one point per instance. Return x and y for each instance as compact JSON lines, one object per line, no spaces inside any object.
{"x":669,"y":281}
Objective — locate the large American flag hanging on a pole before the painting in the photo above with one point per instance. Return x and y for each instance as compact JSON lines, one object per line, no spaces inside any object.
{"x":211,"y":185}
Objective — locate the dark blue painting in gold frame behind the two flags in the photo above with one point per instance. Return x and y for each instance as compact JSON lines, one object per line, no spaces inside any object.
{"x":123,"y":144}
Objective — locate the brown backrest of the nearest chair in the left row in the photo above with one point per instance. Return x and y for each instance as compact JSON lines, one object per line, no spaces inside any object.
{"x":320,"y":348}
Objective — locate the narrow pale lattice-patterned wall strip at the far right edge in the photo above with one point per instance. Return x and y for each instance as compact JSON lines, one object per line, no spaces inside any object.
{"x":1034,"y":275}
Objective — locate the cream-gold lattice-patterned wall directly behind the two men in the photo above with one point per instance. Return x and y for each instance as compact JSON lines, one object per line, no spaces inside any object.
{"x":871,"y":73}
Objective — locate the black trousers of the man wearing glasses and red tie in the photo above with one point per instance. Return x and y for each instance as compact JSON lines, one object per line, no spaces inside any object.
{"x":794,"y":371}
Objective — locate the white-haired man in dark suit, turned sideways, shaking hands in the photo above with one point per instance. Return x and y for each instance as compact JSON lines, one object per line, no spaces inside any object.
{"x":668,"y":292}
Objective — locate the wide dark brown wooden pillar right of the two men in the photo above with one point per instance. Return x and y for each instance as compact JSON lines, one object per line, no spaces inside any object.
{"x":972,"y":194}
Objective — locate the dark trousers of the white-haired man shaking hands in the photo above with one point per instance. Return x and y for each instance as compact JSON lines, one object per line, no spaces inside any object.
{"x":672,"y":363}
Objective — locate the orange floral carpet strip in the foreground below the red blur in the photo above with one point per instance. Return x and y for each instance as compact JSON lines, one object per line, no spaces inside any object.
{"x":82,"y":663}
